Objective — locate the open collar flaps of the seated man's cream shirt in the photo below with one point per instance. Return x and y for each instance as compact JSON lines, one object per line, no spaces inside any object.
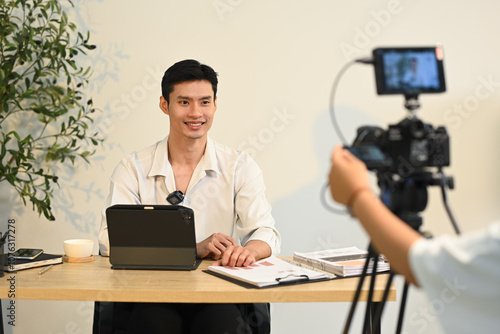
{"x":161,"y":165}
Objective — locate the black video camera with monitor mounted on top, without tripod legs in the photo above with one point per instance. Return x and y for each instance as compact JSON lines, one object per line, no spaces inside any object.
{"x":401,"y":154}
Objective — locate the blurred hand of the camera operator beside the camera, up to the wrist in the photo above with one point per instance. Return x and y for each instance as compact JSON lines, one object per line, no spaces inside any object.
{"x":348,"y":176}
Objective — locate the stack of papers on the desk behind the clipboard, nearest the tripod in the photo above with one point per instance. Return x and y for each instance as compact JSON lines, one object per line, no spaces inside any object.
{"x":342,"y":261}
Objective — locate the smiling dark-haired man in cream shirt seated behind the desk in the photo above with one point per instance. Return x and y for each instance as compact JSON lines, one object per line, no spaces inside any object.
{"x":225,"y":188}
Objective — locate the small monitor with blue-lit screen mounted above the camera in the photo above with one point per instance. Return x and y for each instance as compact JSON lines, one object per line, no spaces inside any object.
{"x":409,"y":71}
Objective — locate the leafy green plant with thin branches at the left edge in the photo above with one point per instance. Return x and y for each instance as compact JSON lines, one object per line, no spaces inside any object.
{"x":45,"y":118}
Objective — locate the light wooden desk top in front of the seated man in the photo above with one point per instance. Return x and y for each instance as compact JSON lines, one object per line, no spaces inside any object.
{"x":96,"y":281}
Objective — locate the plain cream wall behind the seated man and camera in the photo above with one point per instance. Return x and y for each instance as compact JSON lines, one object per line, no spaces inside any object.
{"x":276,"y":62}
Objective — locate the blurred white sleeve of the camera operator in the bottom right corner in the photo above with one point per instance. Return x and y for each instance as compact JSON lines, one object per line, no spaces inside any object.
{"x":461,"y":276}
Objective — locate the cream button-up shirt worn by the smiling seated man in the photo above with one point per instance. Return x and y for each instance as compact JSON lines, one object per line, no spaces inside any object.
{"x":226,"y":193}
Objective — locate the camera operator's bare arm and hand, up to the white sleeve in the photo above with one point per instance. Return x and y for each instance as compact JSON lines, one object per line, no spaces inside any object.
{"x":389,"y":235}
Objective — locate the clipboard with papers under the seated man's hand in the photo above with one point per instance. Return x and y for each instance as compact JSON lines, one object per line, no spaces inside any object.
{"x":268,"y":272}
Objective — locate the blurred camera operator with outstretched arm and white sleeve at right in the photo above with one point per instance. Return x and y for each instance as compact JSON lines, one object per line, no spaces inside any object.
{"x":461,"y":275}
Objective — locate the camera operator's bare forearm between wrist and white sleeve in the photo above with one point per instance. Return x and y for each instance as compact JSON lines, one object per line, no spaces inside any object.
{"x":389,"y":235}
